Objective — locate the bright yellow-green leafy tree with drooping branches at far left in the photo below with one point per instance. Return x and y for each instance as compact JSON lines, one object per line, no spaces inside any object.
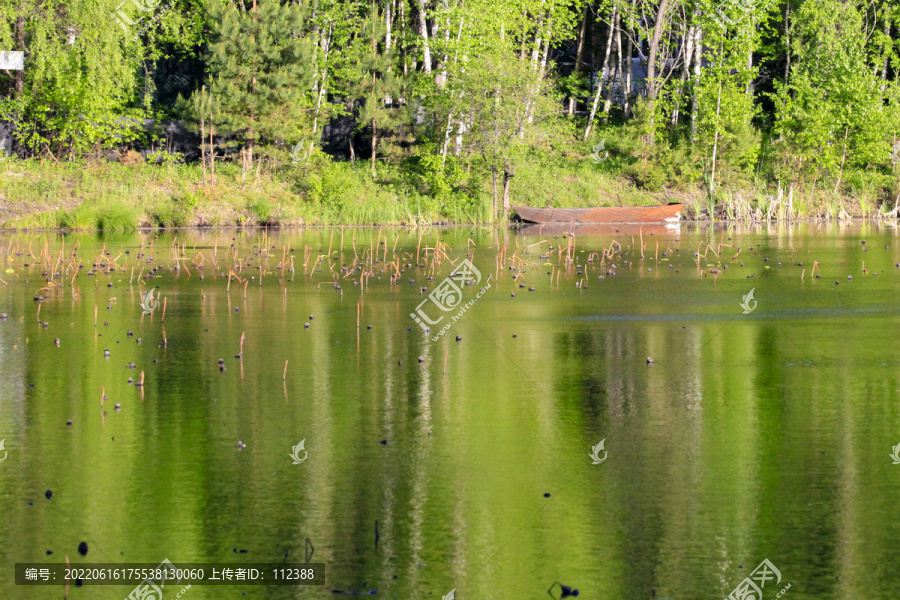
{"x":79,"y":80}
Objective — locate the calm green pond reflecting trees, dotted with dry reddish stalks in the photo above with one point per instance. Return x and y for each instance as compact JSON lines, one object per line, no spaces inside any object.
{"x":637,"y":413}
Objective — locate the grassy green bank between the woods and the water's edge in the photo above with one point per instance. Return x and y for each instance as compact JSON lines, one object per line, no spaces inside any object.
{"x":117,"y":196}
